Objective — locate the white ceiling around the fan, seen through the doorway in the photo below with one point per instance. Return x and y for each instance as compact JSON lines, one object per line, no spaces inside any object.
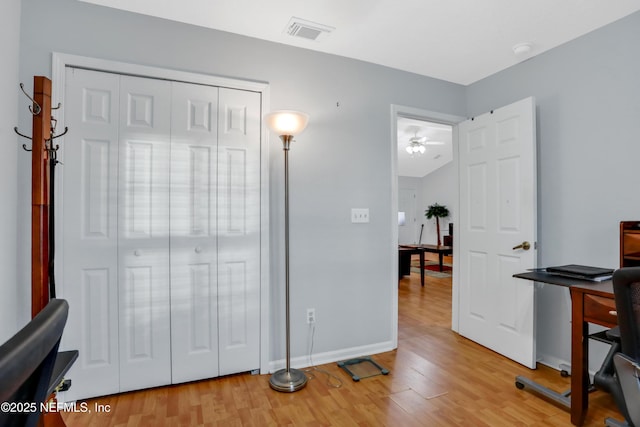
{"x":435,"y":157}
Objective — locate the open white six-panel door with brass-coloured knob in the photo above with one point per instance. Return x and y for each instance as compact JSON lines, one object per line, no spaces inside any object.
{"x":498,"y":213}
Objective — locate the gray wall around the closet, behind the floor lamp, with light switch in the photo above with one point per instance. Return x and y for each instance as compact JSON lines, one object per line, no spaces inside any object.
{"x":341,"y":161}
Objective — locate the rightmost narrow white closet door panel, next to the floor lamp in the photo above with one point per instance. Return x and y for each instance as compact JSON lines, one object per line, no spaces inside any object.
{"x":239,"y":230}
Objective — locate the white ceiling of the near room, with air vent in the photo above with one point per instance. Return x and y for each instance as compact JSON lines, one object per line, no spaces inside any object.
{"x":460,"y":41}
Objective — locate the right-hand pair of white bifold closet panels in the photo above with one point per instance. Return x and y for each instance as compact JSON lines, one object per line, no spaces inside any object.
{"x":215,"y":231}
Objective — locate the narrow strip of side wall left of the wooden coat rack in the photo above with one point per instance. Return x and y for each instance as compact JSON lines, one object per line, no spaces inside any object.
{"x":9,"y":89}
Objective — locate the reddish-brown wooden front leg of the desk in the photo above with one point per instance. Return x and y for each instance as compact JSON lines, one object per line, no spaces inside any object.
{"x":579,"y":360}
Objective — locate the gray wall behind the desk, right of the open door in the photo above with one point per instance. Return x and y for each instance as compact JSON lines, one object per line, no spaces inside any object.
{"x":588,"y":109}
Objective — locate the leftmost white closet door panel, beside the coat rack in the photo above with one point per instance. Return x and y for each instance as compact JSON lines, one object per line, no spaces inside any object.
{"x":89,"y":231}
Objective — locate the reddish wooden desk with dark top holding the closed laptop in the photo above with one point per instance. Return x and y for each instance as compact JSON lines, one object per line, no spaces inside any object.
{"x":591,"y":302}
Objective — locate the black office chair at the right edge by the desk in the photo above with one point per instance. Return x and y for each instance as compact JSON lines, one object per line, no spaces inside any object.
{"x":626,"y":290}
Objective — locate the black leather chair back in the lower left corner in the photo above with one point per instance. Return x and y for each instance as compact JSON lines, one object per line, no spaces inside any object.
{"x":26,"y":365}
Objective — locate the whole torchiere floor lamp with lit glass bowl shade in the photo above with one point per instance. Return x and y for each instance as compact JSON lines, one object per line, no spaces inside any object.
{"x":287,"y":124}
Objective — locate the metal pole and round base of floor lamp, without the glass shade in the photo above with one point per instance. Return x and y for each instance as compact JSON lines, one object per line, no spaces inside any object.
{"x":287,"y":380}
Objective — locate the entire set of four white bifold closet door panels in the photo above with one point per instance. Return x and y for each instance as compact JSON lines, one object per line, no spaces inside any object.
{"x":161,"y":222}
